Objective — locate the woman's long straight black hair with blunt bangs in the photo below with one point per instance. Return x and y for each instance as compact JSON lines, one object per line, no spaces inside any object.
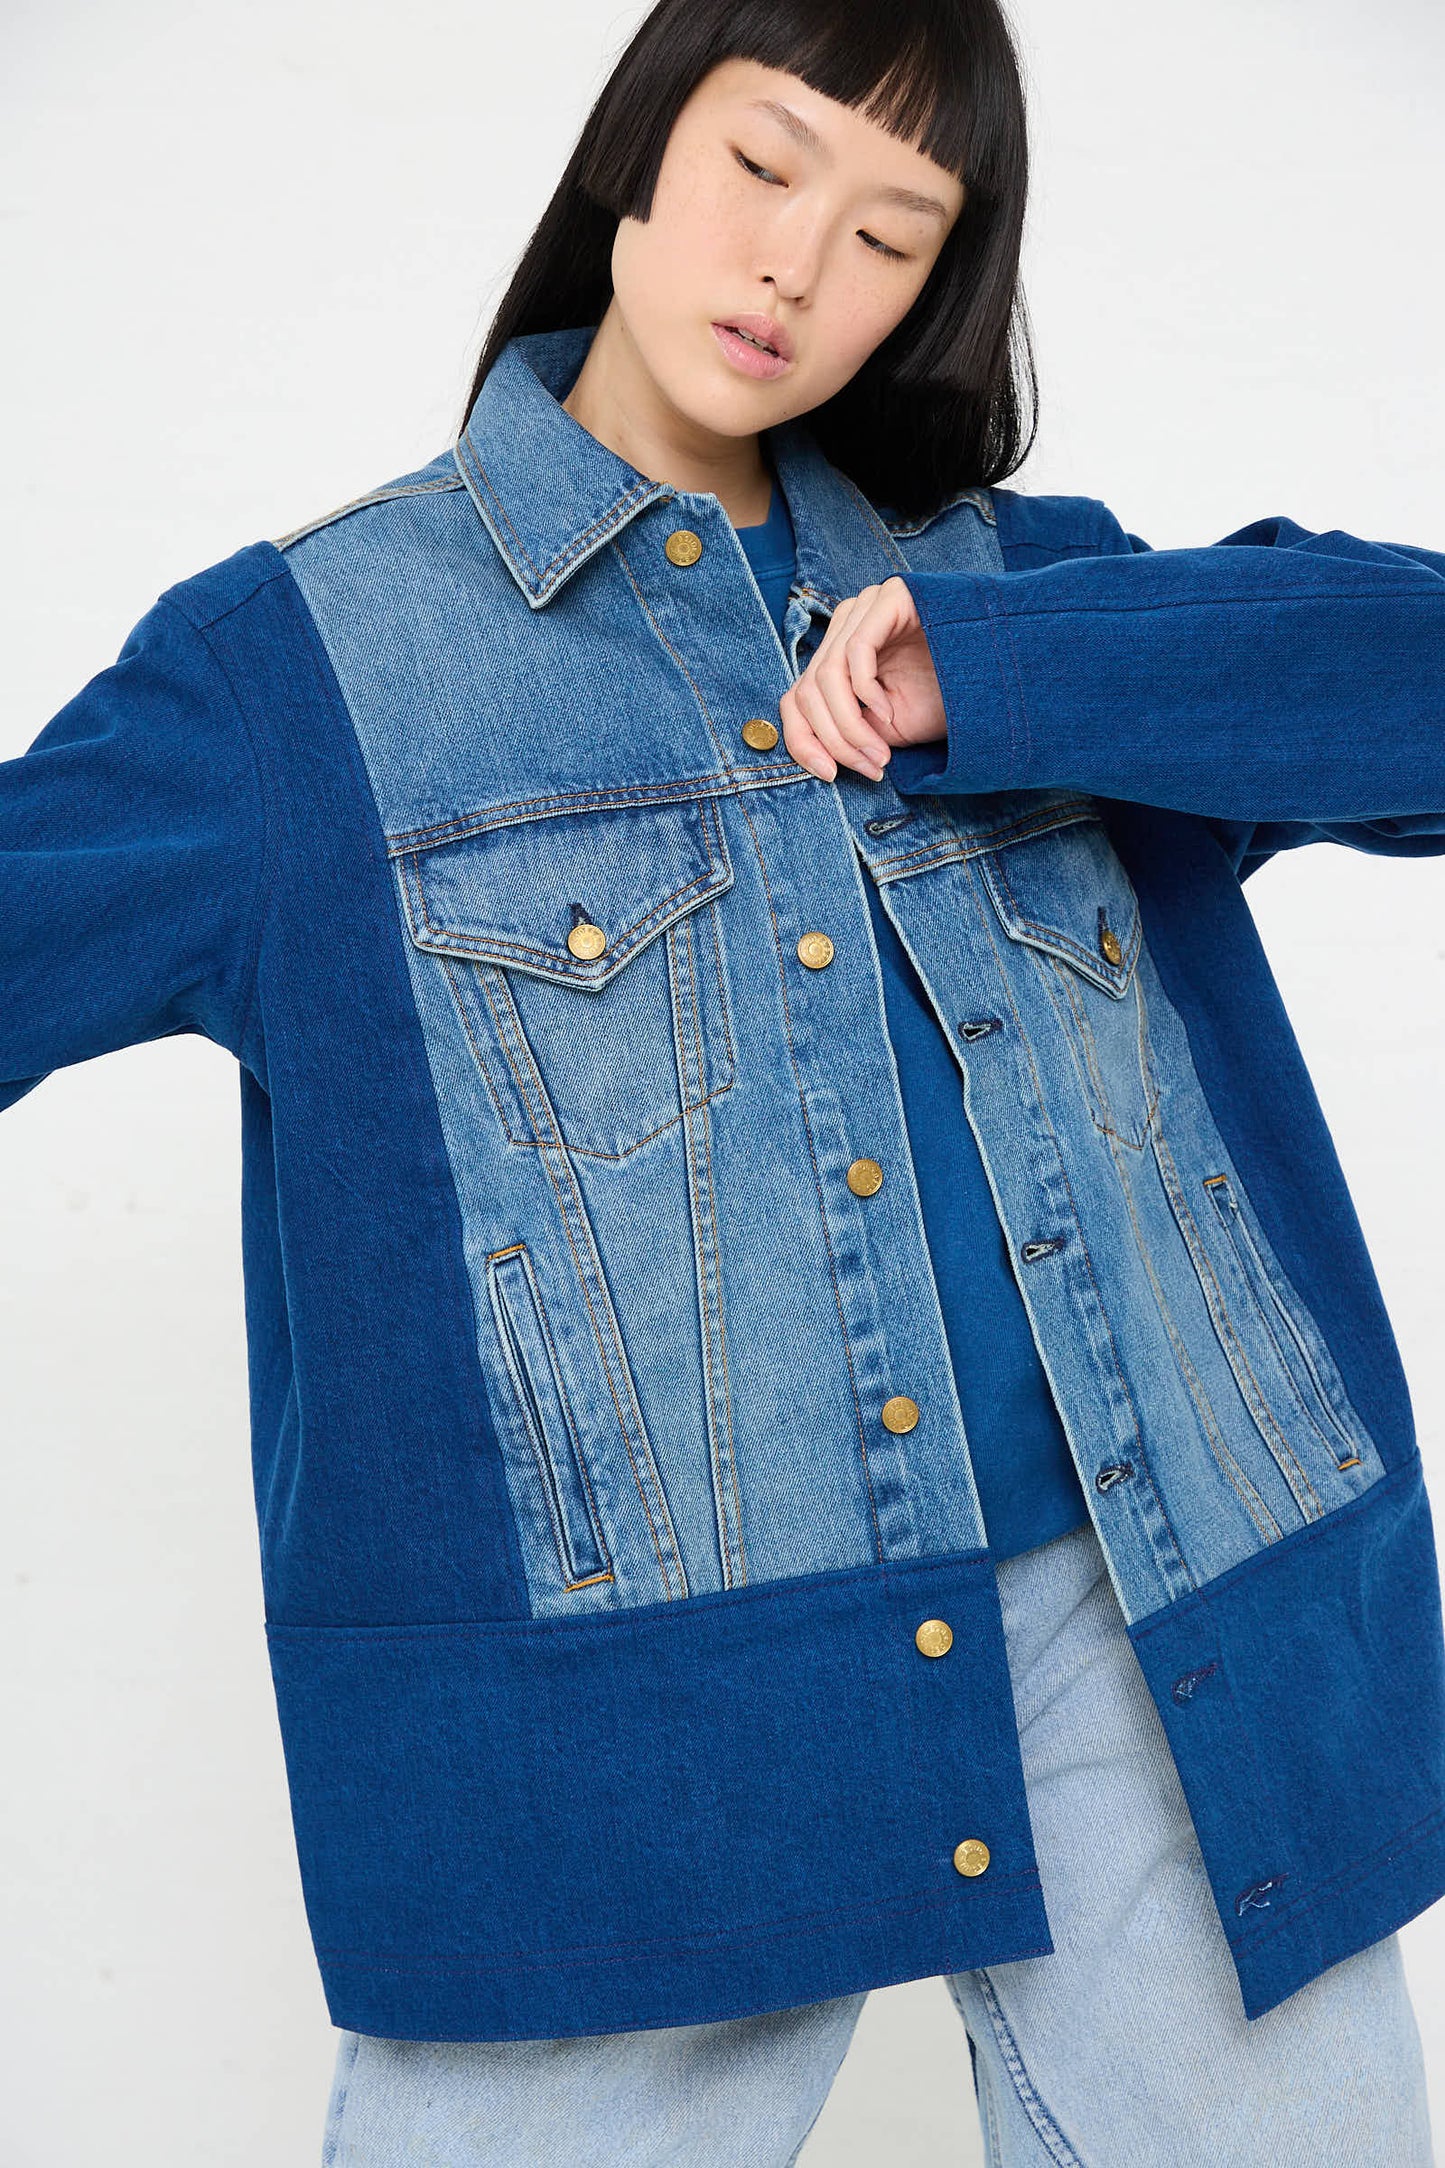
{"x":950,"y":400}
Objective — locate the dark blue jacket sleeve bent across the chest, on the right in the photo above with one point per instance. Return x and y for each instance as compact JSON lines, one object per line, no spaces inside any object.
{"x":1281,"y":684}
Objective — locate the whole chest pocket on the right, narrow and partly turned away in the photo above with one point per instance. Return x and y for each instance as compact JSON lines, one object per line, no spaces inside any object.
{"x":1069,"y":903}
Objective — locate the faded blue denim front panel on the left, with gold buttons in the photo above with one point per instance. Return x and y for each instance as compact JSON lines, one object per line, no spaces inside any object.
{"x":675,"y":1432}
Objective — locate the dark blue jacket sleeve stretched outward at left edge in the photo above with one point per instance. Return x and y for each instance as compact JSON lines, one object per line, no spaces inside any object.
{"x":131,"y":849}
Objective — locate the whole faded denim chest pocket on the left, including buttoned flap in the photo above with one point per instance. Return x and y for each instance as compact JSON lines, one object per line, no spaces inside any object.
{"x":586,"y":959}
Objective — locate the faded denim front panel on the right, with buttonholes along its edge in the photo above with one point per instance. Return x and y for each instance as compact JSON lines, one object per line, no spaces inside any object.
{"x":1177,"y":1365}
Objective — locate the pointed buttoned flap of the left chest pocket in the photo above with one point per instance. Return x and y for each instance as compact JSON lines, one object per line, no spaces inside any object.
{"x":517,"y":892}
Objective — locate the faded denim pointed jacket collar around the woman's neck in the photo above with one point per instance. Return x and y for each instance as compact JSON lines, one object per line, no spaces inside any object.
{"x":551,"y":495}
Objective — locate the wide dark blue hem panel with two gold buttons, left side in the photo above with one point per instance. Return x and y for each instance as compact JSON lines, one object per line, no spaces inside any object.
{"x":655,"y":1818}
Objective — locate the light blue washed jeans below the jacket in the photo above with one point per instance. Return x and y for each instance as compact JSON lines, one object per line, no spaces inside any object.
{"x":1123,"y":2050}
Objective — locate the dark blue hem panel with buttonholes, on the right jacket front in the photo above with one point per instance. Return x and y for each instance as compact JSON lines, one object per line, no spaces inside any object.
{"x":1286,"y":1690}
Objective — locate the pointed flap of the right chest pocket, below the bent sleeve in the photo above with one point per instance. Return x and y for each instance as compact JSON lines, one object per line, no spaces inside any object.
{"x":1067,"y":892}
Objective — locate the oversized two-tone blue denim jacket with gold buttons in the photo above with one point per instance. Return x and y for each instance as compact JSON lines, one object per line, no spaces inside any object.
{"x":634,"y":1625}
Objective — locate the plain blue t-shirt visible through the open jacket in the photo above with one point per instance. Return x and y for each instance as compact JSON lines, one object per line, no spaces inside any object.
{"x":1021,"y":1460}
